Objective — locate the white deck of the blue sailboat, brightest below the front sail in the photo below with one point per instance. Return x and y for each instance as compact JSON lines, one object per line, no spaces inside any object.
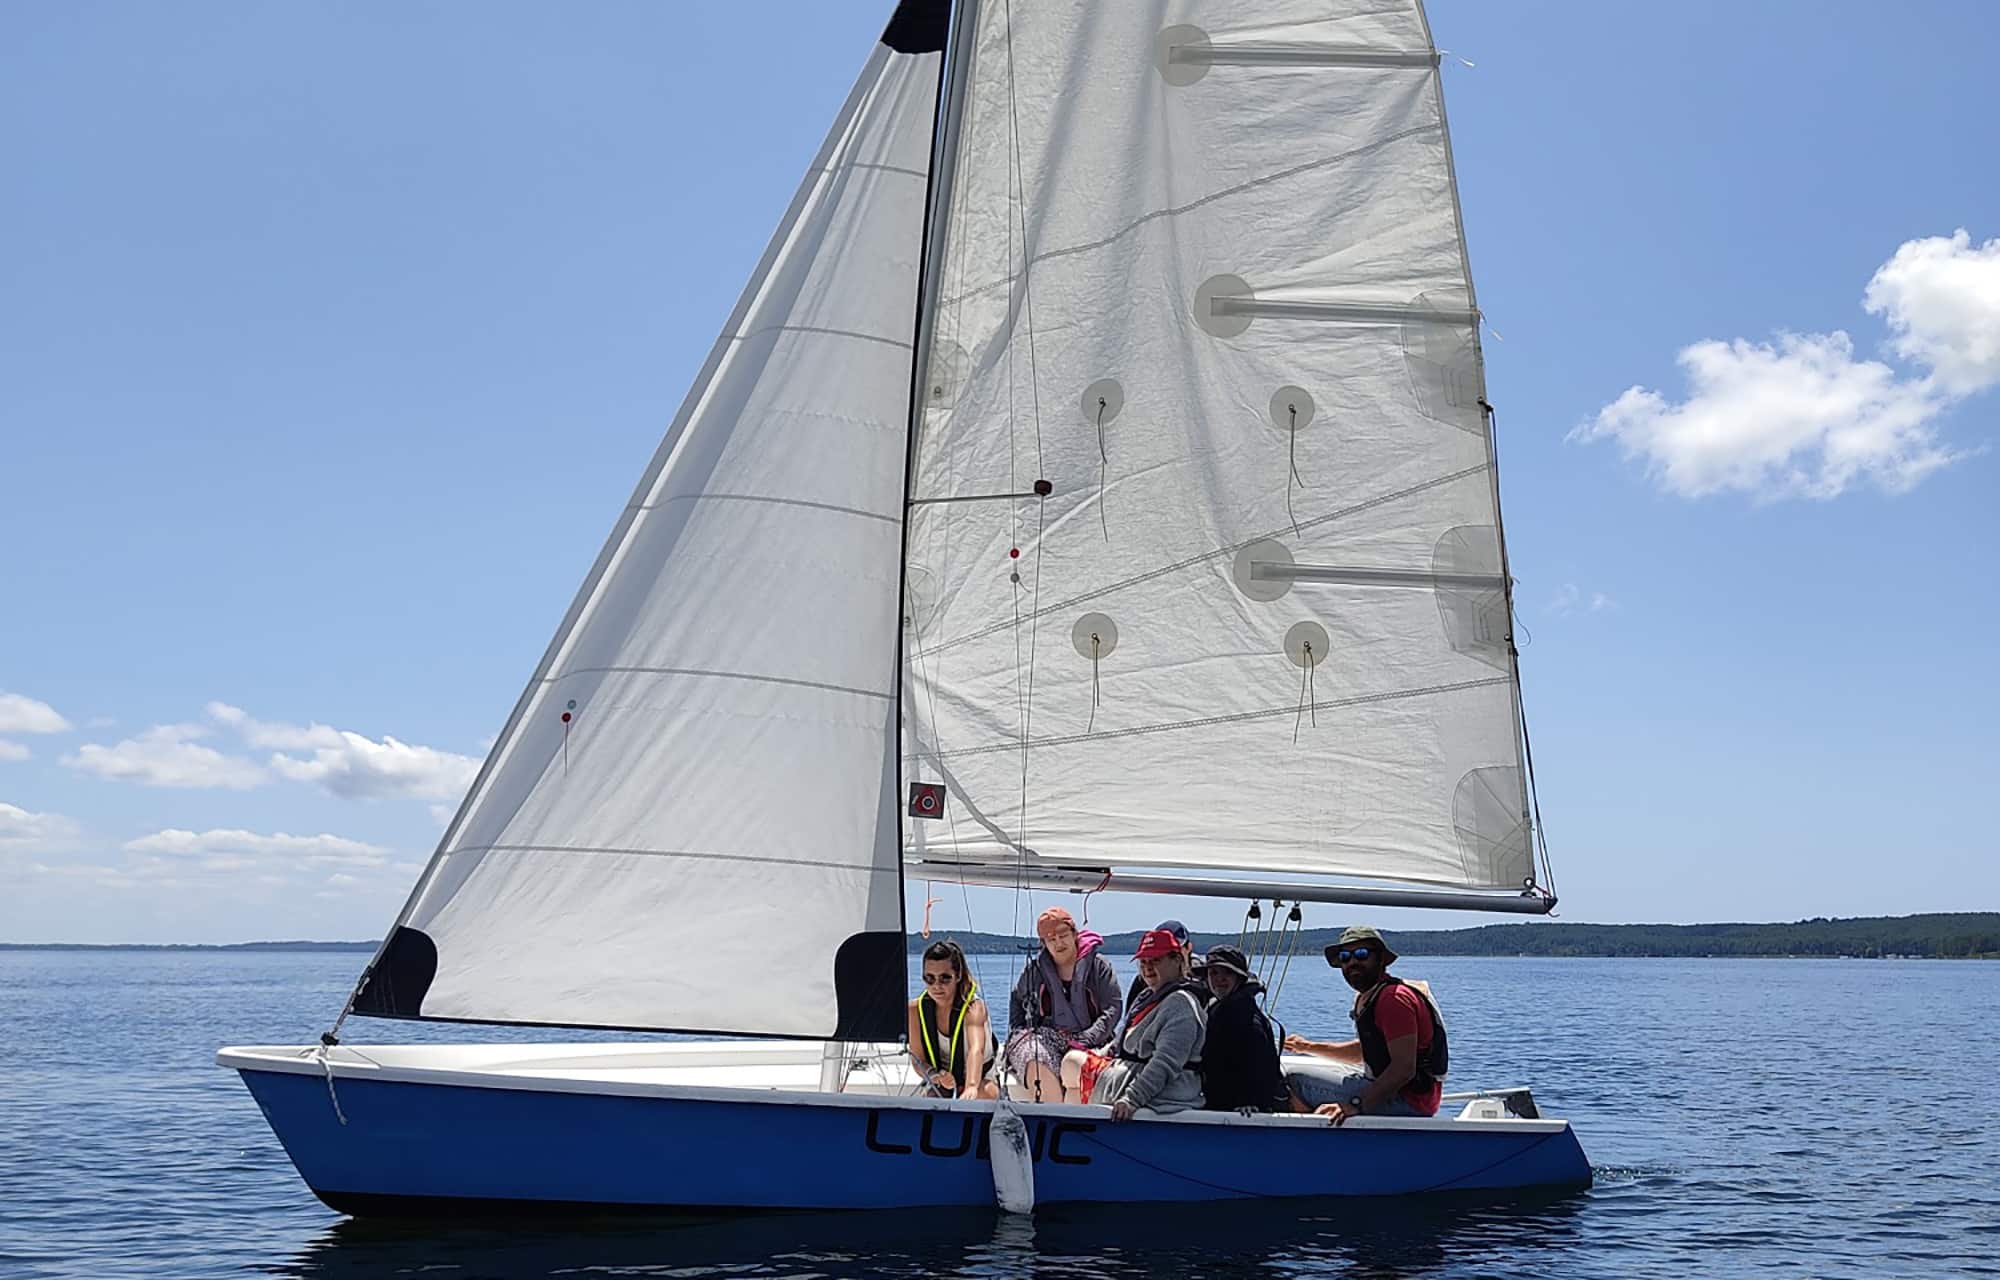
{"x":785,"y":1073}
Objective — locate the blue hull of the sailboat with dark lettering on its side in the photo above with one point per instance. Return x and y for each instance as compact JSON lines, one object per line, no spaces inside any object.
{"x":413,"y":1147}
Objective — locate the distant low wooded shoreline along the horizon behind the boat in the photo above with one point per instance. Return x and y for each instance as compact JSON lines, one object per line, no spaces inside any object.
{"x":1931,"y":937}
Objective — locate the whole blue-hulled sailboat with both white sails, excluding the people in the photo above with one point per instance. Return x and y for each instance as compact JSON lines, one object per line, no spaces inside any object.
{"x":1093,"y":491}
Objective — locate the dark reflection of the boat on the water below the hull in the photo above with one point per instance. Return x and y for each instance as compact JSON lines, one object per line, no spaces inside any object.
{"x":1431,"y":1237}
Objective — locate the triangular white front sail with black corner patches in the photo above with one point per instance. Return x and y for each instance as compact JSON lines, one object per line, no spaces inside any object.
{"x":699,"y":783}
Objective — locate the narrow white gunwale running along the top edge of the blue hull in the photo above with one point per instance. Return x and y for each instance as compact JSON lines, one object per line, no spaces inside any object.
{"x":307,"y":1061}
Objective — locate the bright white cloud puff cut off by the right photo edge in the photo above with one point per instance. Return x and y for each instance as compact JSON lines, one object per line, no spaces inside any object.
{"x":1941,"y":299}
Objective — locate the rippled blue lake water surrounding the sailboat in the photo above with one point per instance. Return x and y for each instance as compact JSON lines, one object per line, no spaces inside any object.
{"x":1745,"y":1117}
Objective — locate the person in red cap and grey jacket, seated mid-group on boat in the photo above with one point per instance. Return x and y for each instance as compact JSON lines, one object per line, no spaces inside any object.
{"x":1159,"y":1053}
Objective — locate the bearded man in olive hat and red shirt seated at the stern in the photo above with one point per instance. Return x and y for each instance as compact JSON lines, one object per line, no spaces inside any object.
{"x":1397,"y":1061}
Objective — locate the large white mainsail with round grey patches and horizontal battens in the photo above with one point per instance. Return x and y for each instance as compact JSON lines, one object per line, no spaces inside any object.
{"x":1205,"y":275}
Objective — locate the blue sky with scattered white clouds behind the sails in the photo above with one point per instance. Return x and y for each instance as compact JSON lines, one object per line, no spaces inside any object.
{"x":333,"y":339}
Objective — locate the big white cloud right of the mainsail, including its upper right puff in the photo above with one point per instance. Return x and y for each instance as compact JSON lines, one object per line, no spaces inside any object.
{"x":1803,"y":417}
